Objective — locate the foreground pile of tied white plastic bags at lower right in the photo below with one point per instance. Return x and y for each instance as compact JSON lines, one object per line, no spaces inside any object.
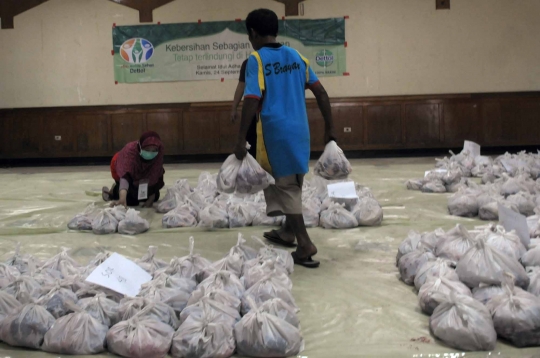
{"x":486,"y":261}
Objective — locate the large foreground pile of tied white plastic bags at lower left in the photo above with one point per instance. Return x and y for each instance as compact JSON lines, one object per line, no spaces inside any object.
{"x":191,"y":308}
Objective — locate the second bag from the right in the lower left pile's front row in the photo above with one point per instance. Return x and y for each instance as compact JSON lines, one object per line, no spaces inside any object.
{"x":204,"y":336}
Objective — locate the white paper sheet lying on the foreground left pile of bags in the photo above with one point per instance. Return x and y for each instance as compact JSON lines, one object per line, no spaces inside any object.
{"x":120,"y":275}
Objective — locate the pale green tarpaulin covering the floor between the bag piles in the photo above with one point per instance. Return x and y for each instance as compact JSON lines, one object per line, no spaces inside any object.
{"x":352,"y":306}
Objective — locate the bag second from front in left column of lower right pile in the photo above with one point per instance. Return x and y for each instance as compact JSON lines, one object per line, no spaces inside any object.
{"x":430,"y":293}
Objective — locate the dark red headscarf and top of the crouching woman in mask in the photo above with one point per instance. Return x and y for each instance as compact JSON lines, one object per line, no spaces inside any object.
{"x":130,"y":160}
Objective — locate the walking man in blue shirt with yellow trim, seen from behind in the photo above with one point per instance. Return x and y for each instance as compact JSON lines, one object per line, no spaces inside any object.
{"x":276,"y":79}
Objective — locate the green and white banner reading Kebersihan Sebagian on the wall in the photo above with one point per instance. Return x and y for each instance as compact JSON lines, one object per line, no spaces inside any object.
{"x":216,"y":50}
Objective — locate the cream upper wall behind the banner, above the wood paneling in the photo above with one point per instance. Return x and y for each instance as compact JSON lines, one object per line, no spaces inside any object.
{"x":59,"y":53}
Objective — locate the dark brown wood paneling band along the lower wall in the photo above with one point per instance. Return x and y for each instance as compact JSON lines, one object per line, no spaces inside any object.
{"x":511,"y":119}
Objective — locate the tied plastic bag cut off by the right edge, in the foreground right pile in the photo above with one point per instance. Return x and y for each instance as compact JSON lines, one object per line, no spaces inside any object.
{"x":516,"y":315}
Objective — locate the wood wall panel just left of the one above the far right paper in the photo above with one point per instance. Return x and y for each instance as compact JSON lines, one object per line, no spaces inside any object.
{"x":422,"y":124}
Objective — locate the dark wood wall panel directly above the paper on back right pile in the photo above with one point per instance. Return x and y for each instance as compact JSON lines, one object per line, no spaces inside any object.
{"x":460,"y":122}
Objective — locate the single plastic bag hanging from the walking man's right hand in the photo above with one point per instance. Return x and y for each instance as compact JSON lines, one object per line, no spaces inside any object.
{"x":332,"y":165}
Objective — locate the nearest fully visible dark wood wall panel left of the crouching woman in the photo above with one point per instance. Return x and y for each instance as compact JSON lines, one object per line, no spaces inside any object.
{"x":92,"y":137}
